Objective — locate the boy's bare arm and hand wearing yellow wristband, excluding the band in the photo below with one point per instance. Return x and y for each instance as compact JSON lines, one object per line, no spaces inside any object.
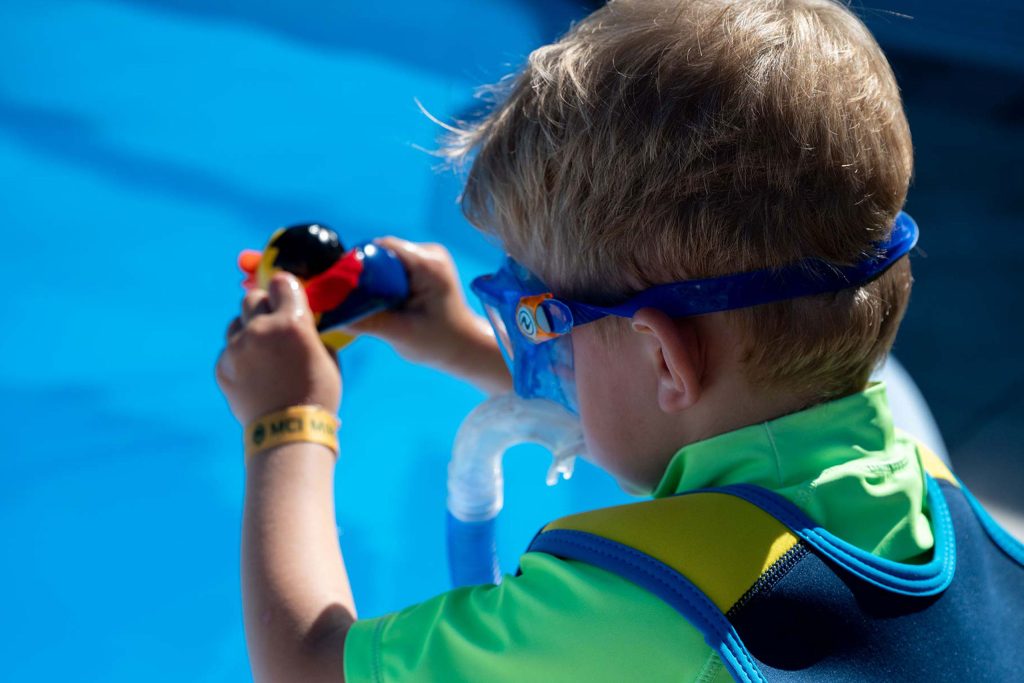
{"x":297,"y":603}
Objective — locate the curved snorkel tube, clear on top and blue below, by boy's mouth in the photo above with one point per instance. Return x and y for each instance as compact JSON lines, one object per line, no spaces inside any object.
{"x":476,"y":485}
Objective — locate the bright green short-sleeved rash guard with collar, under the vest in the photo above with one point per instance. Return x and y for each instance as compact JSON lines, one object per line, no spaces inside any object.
{"x":842,"y":463}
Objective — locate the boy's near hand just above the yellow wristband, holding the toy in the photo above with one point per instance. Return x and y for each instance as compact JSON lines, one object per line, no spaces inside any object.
{"x":275,"y":358}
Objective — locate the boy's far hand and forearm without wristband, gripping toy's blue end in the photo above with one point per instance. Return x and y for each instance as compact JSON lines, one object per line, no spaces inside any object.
{"x":436,"y":327}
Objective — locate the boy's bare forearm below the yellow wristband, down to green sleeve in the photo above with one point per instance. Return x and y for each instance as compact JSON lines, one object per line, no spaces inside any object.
{"x":297,"y":603}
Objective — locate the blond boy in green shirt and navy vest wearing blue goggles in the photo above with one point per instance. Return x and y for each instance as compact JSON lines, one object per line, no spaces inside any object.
{"x":661,"y":142}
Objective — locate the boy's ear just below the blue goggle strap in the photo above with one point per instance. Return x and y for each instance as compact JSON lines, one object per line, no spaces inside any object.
{"x":677,"y":357}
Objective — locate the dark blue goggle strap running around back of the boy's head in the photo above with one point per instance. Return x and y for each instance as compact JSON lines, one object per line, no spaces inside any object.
{"x":697,"y":297}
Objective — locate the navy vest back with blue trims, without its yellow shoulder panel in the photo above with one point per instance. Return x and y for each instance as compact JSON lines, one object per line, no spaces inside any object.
{"x":806,"y":619}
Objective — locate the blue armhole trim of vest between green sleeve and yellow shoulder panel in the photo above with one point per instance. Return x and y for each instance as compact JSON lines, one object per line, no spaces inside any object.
{"x":664,"y":582}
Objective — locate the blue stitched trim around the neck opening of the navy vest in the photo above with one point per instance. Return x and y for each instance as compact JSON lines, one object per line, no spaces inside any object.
{"x":922,"y":580}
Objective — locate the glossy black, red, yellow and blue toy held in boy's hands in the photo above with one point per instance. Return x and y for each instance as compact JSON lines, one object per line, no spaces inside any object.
{"x":344,"y":286}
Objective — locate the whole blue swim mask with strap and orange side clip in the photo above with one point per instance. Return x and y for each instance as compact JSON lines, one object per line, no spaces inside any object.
{"x":533,"y":325}
